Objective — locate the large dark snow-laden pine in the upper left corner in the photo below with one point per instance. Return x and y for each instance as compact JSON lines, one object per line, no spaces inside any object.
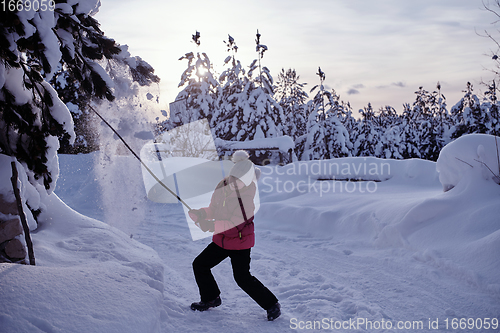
{"x":32,"y":45}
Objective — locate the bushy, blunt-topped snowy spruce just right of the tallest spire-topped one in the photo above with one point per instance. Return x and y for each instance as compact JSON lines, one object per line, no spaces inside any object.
{"x":292,"y":98}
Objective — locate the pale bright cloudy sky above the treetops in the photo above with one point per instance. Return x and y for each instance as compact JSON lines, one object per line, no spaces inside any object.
{"x":377,"y":52}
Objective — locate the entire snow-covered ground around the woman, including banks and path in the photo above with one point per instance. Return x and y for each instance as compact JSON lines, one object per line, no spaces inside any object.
{"x":387,"y":254}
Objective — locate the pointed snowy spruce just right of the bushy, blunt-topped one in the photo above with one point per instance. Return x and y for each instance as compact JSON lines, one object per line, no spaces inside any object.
{"x":327,"y":137}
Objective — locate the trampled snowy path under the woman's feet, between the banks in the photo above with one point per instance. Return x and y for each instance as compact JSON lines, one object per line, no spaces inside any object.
{"x":314,"y":279}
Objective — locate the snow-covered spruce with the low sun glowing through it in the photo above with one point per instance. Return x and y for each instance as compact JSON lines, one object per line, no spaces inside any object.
{"x":200,"y":88}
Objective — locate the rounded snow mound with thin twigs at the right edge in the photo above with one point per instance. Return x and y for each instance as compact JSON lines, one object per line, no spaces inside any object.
{"x":473,"y":153}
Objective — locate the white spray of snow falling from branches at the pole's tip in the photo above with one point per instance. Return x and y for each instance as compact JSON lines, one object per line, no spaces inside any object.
{"x":123,"y":200}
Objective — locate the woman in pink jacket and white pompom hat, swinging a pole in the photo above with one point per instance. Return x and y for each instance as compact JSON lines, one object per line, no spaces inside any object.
{"x":230,"y":217}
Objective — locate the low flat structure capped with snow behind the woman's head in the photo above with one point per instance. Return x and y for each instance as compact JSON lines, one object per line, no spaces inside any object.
{"x":284,"y":145}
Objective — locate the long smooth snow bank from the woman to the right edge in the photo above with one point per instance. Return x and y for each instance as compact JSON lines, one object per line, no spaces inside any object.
{"x":398,"y":204}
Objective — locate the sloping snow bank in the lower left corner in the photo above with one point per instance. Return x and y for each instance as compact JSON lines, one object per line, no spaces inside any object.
{"x":89,"y":277}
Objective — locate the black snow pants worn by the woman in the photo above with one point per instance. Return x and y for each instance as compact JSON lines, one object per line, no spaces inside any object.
{"x":240,"y":261}
